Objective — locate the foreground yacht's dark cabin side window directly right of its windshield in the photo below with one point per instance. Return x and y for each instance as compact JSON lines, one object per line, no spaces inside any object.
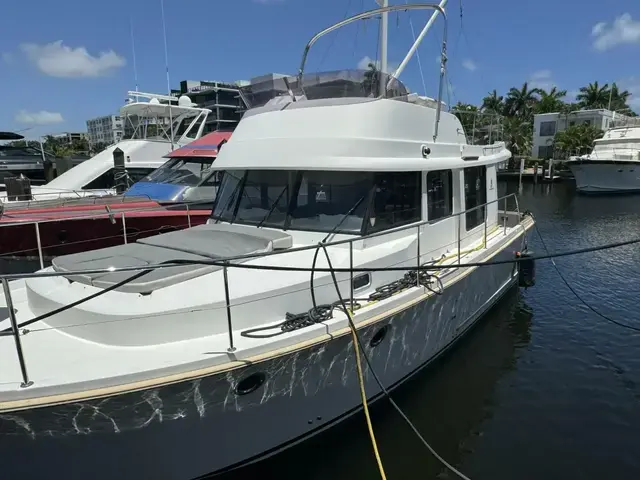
{"x":396,"y":200}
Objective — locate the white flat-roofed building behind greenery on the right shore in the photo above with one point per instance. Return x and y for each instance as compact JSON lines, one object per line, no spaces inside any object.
{"x":546,"y":125}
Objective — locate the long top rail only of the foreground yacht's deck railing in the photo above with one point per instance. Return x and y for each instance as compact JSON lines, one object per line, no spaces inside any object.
{"x":335,"y":243}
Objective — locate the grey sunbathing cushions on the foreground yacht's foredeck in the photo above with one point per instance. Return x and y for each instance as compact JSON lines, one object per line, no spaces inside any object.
{"x":202,"y":243}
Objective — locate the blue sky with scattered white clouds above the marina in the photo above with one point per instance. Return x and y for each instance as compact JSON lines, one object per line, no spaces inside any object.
{"x":75,"y":59}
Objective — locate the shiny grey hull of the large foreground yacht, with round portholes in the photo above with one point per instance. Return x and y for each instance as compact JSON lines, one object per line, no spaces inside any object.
{"x":200,"y":426}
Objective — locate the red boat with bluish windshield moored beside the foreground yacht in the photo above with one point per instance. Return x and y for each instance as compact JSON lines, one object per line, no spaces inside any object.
{"x":175,"y":196}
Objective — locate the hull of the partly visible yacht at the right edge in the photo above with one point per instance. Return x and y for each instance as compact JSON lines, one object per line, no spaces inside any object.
{"x":594,"y":176}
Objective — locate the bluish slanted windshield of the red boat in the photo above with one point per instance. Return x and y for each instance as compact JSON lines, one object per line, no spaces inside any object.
{"x":191,"y":171}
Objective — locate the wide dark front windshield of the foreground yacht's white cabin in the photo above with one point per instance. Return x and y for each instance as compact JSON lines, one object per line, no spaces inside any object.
{"x":301,"y":200}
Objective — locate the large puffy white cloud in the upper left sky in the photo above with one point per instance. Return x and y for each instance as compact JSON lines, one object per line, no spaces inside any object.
{"x":58,"y":60}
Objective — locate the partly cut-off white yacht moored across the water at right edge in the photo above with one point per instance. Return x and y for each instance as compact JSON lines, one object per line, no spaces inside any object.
{"x":614,"y":164}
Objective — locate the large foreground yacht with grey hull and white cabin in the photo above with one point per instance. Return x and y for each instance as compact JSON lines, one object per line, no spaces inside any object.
{"x":225,"y":356}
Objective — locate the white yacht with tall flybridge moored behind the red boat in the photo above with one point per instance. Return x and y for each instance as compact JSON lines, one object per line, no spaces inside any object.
{"x":174,"y":125}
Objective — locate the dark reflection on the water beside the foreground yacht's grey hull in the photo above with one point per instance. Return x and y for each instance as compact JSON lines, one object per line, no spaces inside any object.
{"x":448,"y":402}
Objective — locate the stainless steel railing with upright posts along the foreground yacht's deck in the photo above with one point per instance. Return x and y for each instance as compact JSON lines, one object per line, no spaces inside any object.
{"x":226,"y":263}
